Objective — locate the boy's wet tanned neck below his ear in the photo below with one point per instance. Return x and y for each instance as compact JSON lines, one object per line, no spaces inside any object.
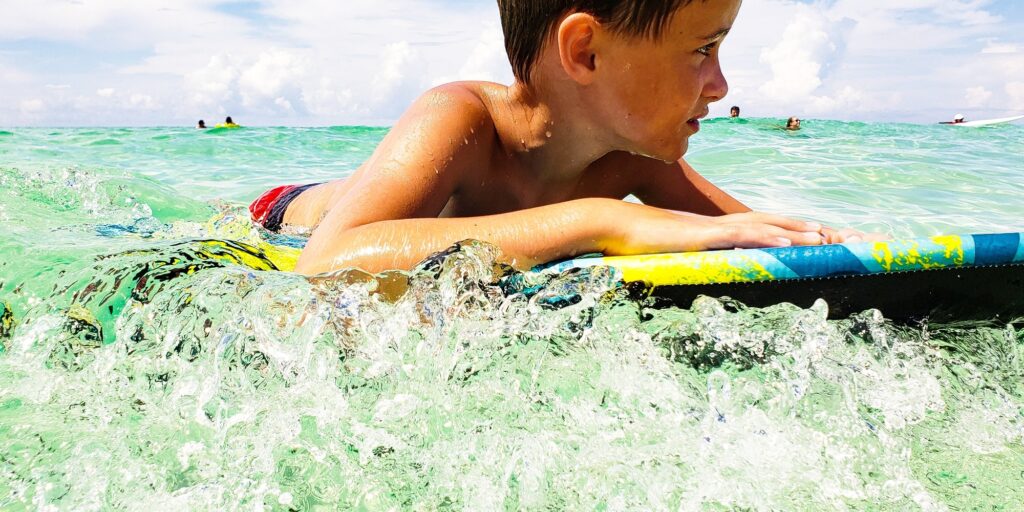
{"x":551,"y":134}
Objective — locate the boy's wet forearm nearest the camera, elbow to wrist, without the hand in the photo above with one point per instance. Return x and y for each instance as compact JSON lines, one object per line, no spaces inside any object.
{"x":527,"y":238}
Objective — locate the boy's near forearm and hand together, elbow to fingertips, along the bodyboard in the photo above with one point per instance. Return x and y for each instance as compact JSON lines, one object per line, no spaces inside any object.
{"x":529,"y":238}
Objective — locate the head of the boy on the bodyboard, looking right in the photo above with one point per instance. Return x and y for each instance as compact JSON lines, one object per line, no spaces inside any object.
{"x":643,"y":72}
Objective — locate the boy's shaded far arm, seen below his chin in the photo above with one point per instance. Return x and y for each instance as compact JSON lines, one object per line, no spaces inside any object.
{"x":678,"y":187}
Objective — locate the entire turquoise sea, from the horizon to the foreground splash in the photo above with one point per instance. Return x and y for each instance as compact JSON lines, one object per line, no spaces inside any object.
{"x":142,"y":370}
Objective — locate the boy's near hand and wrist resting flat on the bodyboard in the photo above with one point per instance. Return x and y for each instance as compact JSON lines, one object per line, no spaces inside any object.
{"x":644,"y":230}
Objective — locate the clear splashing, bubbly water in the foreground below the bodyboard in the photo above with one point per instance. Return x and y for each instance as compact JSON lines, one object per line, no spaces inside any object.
{"x":193,"y":366}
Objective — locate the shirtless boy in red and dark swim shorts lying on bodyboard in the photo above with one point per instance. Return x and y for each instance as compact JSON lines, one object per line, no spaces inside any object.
{"x":608,"y":94}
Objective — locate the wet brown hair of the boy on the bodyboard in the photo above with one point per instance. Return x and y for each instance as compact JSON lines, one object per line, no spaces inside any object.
{"x":529,"y":23}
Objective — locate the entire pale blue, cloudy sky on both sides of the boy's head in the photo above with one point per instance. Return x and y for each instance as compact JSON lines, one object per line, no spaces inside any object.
{"x":317,"y":63}
